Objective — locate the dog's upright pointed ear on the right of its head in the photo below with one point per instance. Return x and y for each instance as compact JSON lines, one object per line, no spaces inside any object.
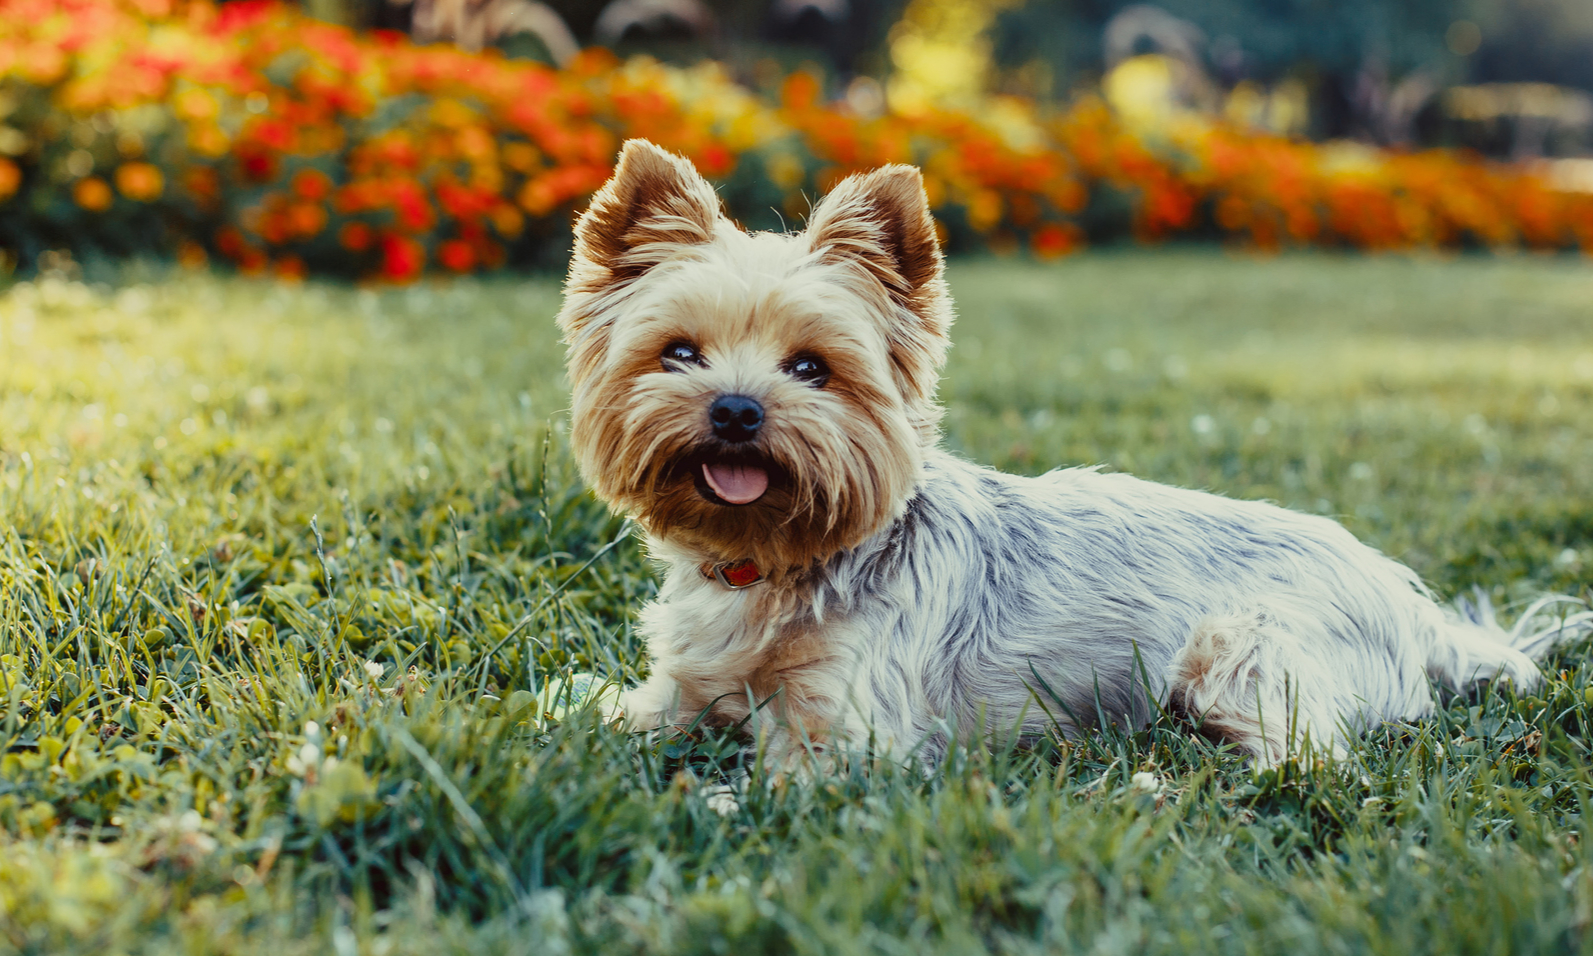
{"x":882,"y":222}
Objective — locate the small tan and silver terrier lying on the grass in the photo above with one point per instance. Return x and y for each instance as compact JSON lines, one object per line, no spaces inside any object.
{"x":764,"y":406}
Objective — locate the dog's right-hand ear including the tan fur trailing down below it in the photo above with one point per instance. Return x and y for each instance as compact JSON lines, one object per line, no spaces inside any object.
{"x":882,"y":222}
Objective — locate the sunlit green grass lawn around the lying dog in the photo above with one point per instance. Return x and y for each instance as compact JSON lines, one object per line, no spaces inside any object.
{"x":246,"y":528}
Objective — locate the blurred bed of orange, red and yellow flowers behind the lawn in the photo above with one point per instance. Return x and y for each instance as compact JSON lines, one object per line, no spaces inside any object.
{"x":291,"y":146}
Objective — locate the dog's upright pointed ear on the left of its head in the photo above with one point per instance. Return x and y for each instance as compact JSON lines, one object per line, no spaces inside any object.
{"x":654,"y":200}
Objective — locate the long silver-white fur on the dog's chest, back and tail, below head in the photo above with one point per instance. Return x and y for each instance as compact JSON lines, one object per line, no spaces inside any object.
{"x":1082,"y":597}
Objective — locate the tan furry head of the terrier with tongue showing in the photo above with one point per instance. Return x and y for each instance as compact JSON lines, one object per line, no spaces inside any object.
{"x":754,"y":396}
